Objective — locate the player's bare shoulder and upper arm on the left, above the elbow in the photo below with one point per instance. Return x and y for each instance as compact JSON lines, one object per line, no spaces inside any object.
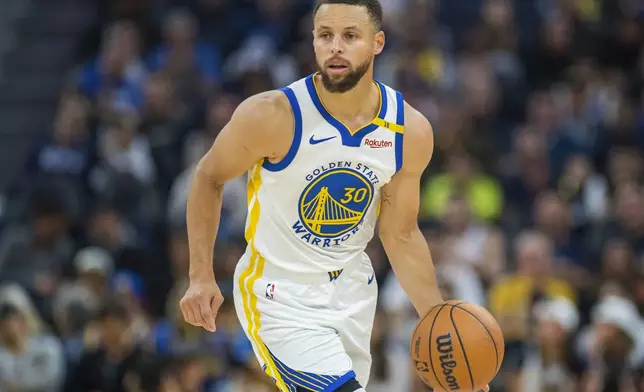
{"x":261,"y":128}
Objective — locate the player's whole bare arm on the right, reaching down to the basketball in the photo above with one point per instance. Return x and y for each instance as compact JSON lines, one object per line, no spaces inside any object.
{"x":404,"y":244}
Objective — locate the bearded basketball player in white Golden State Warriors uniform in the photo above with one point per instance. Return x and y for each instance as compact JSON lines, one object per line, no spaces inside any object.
{"x":326,"y":157}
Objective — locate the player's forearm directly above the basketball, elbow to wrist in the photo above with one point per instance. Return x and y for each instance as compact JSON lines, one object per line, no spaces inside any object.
{"x":411,"y":261}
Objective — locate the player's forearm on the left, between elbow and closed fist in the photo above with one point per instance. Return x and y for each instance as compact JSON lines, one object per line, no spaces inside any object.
{"x":203,"y":214}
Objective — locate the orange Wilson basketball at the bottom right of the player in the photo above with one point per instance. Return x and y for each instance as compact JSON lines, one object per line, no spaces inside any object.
{"x":457,"y":346}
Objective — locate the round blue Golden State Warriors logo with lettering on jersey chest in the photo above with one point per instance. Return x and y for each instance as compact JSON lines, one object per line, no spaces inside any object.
{"x":333,"y":204}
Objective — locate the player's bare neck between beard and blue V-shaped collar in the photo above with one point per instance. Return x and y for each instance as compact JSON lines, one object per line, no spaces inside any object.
{"x":351,"y":103}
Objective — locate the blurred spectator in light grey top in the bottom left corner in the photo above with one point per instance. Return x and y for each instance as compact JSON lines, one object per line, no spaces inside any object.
{"x":27,"y":363}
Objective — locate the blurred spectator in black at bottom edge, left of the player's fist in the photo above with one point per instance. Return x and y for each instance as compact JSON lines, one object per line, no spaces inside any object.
{"x":105,"y":368}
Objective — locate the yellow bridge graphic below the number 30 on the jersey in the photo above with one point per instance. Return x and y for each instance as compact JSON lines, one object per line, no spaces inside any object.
{"x":324,"y":210}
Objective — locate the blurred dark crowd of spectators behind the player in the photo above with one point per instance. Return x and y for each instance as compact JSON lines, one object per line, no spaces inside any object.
{"x":533,"y":205}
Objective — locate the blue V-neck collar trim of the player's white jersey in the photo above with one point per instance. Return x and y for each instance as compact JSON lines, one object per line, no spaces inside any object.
{"x":348,"y":139}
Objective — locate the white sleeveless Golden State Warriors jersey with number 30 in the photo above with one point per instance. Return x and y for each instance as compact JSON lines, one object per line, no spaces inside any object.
{"x":316,"y":209}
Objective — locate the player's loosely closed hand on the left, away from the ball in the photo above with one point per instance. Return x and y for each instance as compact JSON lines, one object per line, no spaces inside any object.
{"x":201,"y":303}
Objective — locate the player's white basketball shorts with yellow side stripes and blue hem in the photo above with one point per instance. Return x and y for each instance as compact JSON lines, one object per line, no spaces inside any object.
{"x":310,"y":332}
